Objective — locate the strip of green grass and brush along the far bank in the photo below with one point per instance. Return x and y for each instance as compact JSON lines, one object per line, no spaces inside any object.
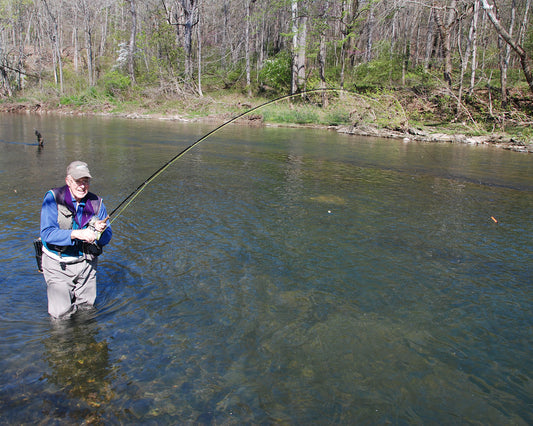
{"x":394,"y":109}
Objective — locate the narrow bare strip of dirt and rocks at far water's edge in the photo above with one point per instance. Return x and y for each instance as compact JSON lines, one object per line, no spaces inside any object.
{"x":498,"y":140}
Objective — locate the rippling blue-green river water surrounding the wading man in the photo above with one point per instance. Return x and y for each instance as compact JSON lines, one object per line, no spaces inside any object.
{"x":272,"y":276}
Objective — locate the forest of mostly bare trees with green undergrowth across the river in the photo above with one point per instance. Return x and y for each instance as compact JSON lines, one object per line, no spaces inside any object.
{"x":444,"y":60}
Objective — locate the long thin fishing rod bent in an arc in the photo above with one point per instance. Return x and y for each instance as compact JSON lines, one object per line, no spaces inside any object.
{"x":123,"y":205}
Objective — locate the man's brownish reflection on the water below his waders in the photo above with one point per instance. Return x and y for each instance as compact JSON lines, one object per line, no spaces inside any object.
{"x":79,"y":363}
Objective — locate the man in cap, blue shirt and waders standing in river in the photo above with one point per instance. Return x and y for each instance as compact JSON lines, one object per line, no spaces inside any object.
{"x":74,"y":228}
